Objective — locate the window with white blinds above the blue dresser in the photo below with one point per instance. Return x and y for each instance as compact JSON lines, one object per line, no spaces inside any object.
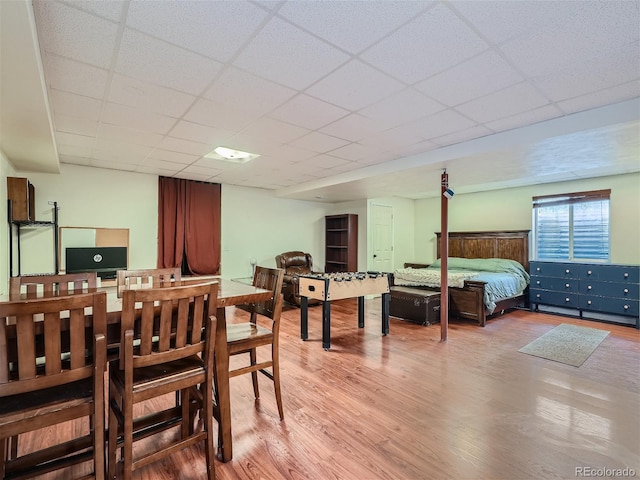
{"x":572,"y":226}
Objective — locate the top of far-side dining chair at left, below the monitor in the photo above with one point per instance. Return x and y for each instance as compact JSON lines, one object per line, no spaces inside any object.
{"x":51,"y":285}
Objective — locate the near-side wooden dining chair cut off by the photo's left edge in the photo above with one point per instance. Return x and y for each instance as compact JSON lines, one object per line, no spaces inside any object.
{"x":49,"y":374}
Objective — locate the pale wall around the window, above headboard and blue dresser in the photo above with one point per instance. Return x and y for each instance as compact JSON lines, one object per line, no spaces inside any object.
{"x":510,"y":209}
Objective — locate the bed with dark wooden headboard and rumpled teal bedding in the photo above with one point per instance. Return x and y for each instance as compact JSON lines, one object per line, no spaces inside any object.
{"x":471,"y":298}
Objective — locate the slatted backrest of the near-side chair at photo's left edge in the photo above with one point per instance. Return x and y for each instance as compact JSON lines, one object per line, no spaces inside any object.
{"x":35,"y":333}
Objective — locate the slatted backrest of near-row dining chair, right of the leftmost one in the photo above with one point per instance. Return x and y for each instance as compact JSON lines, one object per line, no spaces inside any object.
{"x":170,"y":325}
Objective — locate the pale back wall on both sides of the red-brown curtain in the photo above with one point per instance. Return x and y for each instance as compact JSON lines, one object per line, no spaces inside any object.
{"x":255,"y":224}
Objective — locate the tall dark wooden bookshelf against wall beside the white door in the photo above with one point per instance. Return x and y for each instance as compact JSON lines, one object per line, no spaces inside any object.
{"x":341,"y":243}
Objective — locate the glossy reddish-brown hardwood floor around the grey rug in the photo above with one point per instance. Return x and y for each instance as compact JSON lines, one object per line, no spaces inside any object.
{"x":407,"y":406}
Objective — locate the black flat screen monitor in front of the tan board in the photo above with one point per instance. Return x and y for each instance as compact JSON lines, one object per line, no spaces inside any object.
{"x":105,"y":261}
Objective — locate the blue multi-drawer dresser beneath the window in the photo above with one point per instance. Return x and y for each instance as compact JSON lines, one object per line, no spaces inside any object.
{"x":587,"y":287}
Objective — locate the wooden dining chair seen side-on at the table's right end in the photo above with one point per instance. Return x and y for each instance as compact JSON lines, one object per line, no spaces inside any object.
{"x":262,"y":329}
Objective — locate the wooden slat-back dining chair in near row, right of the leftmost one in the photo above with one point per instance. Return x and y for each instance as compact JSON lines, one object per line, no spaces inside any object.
{"x":173,"y":352}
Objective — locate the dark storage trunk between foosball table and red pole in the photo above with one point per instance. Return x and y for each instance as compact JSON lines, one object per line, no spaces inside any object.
{"x":416,"y":305}
